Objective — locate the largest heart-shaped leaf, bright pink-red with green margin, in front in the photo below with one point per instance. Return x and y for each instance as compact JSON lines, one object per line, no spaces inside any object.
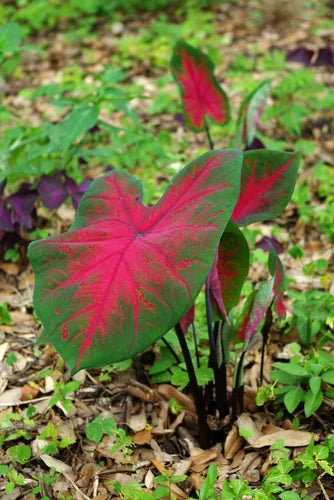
{"x":125,"y":273}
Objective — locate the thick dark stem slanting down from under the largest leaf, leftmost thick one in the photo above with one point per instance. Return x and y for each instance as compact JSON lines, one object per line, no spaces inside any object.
{"x":196,"y":392}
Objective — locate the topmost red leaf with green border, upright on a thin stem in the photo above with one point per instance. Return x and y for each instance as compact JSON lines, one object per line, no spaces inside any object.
{"x":201,"y":93}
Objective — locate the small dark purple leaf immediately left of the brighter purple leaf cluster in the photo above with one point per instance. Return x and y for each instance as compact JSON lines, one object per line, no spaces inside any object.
{"x":23,"y":203}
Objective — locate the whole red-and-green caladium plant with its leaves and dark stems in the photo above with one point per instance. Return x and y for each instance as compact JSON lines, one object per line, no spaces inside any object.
{"x":125,"y":273}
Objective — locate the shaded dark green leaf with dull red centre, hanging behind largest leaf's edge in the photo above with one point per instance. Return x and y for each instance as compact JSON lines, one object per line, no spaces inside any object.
{"x":232,"y":264}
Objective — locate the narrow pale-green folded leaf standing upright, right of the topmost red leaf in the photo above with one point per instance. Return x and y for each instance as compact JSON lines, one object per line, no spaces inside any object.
{"x":250,"y":113}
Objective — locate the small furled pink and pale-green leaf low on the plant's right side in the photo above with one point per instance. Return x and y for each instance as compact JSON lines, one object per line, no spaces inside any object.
{"x":256,"y":312}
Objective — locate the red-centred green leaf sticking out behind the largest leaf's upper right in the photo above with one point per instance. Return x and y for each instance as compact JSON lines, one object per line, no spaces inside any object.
{"x":267,"y":182}
